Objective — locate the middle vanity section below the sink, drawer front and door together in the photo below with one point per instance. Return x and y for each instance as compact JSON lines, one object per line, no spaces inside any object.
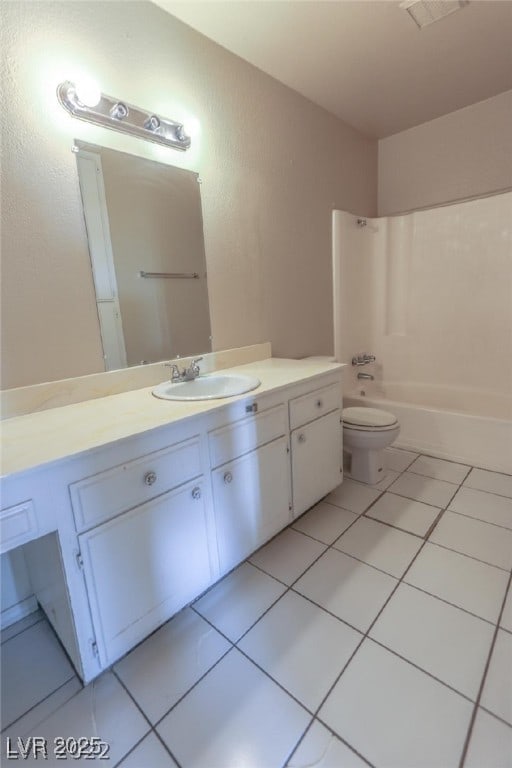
{"x":251,"y":491}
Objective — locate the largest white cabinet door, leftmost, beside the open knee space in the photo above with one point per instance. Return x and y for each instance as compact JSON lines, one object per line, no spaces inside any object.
{"x":144,"y":565}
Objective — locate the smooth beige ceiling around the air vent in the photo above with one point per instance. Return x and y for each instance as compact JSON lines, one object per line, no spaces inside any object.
{"x":366,"y":61}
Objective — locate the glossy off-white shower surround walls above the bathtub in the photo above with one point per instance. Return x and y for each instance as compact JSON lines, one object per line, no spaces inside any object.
{"x":430,"y":293}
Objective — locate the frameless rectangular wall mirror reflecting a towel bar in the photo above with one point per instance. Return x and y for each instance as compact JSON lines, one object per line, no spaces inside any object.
{"x":145,"y":234}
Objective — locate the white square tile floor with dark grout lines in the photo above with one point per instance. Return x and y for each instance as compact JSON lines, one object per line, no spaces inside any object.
{"x":376,"y":630}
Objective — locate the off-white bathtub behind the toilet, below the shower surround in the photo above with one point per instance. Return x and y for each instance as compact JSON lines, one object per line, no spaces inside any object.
{"x":468,"y":426}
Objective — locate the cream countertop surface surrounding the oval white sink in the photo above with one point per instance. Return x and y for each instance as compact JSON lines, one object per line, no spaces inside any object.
{"x":38,"y":438}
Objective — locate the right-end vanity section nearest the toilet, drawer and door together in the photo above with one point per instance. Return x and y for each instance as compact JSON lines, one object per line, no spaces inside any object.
{"x":316,"y":444}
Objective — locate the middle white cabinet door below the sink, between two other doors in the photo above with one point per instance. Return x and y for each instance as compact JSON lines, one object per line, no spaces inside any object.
{"x":252,"y":501}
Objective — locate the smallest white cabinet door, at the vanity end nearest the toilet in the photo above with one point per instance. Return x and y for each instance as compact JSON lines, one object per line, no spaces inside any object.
{"x":316,"y":460}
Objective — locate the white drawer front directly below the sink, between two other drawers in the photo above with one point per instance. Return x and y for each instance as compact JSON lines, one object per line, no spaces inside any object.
{"x":247,"y":434}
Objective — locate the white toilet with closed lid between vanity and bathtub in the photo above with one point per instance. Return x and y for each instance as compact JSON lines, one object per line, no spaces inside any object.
{"x":366,"y":432}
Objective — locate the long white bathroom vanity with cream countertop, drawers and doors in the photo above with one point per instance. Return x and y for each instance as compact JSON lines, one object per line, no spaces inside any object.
{"x":129,"y":506}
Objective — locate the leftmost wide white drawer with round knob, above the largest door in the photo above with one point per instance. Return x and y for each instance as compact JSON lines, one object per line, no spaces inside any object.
{"x":100,"y":497}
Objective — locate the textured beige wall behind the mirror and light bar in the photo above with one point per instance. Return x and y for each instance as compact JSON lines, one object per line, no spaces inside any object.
{"x":273,"y":166}
